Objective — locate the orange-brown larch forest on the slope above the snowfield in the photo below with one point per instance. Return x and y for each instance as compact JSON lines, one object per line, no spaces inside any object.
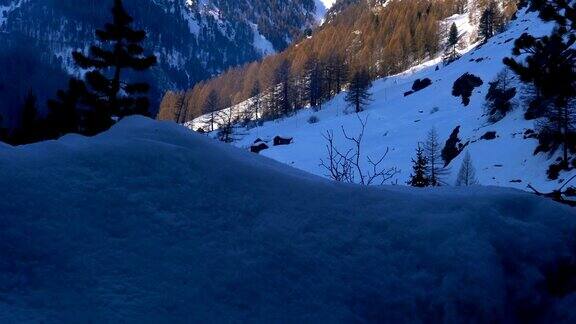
{"x":358,"y":35}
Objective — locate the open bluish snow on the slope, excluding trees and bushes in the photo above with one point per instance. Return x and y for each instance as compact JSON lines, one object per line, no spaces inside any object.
{"x":400,"y":123}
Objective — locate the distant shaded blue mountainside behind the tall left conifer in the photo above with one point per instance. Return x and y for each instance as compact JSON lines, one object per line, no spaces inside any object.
{"x":193,"y":39}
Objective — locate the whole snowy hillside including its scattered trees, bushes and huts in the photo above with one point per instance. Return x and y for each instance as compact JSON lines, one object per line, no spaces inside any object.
{"x":508,"y":118}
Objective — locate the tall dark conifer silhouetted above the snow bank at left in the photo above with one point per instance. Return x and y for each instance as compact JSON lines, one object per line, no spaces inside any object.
{"x":118,"y":50}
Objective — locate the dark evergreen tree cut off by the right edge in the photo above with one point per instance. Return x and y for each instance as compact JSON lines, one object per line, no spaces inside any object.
{"x":549,"y":67}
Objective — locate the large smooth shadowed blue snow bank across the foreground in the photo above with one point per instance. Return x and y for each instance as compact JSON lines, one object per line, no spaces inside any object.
{"x":152,"y":223}
